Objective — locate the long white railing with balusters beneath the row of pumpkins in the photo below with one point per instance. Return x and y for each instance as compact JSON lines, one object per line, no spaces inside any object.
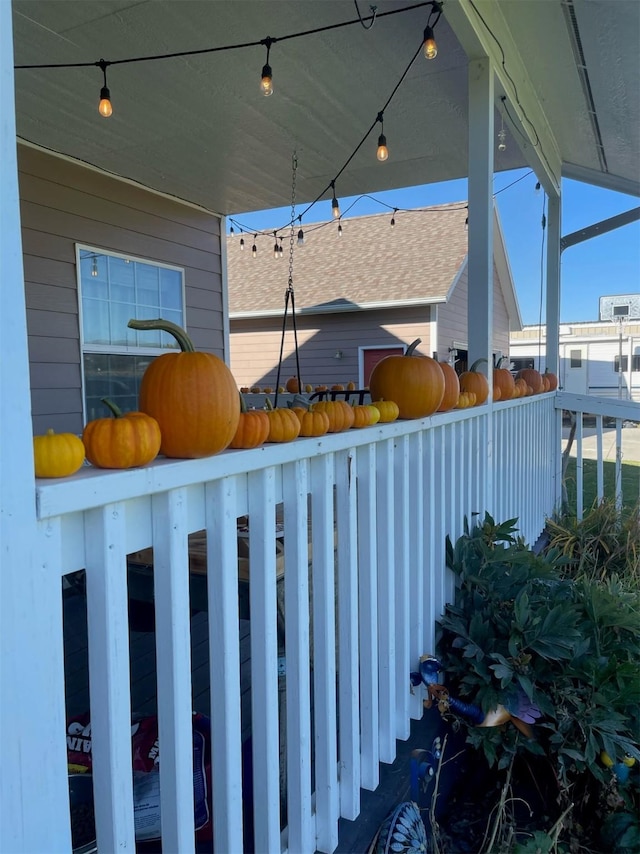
{"x":395,"y":491}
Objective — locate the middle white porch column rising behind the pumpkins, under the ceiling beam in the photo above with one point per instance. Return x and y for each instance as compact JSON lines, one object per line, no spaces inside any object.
{"x":480,"y":300}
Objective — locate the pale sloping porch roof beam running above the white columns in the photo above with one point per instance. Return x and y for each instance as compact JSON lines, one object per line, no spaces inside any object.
{"x":482,"y":31}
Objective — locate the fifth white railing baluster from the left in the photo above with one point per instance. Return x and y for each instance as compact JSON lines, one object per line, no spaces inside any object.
{"x":298,"y":657}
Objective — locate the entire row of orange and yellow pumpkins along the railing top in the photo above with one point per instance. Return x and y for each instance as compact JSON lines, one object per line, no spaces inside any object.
{"x":190,"y":408}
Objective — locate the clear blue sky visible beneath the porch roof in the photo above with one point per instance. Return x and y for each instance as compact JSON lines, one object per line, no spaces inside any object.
{"x":605,"y":265}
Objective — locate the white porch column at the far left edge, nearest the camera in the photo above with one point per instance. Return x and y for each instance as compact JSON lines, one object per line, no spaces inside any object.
{"x":33,"y":774}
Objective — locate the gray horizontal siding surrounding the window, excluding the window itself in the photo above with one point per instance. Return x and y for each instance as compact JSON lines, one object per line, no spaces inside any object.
{"x":63,"y":203}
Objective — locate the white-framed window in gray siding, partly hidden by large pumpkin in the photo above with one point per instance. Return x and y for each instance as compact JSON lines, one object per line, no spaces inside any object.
{"x":114,"y":288}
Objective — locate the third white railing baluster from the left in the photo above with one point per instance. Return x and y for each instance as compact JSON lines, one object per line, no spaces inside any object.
{"x":224,"y":662}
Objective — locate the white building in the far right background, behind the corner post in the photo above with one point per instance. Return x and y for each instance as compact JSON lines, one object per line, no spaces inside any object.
{"x":589,"y":357}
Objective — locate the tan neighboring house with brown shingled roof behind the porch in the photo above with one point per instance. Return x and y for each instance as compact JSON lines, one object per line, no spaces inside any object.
{"x":360,"y":296}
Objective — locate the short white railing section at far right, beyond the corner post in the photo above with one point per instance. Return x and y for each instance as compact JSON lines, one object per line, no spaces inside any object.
{"x":600,"y":411}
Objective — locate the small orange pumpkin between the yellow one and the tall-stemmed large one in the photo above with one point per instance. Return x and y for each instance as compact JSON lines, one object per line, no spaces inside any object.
{"x":121,"y":442}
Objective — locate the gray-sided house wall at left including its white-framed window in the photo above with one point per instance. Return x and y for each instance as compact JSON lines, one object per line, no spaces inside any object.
{"x":99,"y":250}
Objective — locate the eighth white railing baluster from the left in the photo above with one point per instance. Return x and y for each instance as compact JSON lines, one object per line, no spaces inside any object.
{"x":368,"y":607}
